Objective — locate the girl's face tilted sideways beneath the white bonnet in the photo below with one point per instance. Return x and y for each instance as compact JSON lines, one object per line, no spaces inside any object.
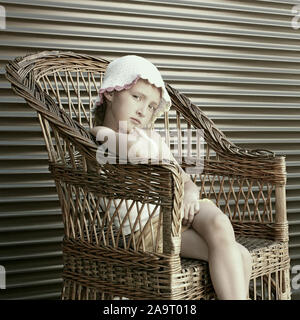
{"x":139,"y":102}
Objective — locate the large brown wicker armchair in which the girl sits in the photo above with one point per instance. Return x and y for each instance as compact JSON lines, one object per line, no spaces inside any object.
{"x":100,"y":262}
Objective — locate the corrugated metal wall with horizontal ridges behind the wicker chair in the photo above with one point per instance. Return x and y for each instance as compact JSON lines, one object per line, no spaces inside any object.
{"x":238,"y":60}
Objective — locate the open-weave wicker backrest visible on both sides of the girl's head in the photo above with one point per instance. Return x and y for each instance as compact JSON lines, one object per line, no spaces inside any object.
{"x":73,"y":80}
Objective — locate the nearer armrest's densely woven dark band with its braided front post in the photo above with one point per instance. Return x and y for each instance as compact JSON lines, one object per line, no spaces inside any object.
{"x":158,"y":184}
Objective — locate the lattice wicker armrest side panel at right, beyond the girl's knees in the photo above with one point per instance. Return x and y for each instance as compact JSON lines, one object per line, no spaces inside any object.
{"x":245,"y":190}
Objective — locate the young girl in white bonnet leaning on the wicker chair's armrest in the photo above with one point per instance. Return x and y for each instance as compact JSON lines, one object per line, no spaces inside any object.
{"x":131,"y":98}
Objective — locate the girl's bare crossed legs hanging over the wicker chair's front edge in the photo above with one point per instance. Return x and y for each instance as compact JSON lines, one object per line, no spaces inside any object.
{"x":211,"y":238}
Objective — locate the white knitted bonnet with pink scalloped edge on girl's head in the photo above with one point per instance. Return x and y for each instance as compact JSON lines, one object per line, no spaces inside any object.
{"x":123,"y":73}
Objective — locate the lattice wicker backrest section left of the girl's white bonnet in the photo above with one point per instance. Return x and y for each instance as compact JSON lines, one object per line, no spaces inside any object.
{"x":72,"y":81}
